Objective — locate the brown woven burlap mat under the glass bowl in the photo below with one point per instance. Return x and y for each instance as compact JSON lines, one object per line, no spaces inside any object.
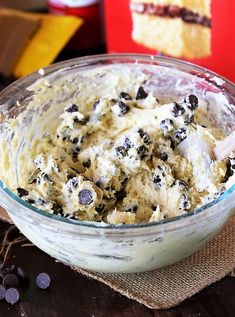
{"x":167,"y":287}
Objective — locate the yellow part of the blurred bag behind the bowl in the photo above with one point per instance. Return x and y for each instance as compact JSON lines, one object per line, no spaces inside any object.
{"x":52,"y":35}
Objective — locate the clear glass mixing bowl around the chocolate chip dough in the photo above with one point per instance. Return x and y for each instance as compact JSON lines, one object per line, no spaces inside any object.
{"x":124,"y":248}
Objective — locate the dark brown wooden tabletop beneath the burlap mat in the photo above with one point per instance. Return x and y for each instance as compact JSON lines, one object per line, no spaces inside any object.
{"x":73,"y":295}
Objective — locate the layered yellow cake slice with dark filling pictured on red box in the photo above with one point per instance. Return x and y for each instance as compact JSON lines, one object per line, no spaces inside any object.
{"x":180,"y":28}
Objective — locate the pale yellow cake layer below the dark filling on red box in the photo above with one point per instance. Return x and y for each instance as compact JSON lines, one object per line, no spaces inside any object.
{"x":173,"y":37}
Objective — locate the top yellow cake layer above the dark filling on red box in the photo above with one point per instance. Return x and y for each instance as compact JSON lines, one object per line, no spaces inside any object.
{"x":199,"y":6}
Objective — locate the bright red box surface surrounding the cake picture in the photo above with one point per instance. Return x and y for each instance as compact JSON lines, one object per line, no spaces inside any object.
{"x":119,"y":25}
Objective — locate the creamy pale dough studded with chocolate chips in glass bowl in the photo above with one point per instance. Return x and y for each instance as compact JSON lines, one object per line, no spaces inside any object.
{"x":108,"y":149}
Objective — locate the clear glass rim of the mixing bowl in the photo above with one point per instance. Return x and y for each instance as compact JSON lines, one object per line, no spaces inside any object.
{"x":85,"y":61}
